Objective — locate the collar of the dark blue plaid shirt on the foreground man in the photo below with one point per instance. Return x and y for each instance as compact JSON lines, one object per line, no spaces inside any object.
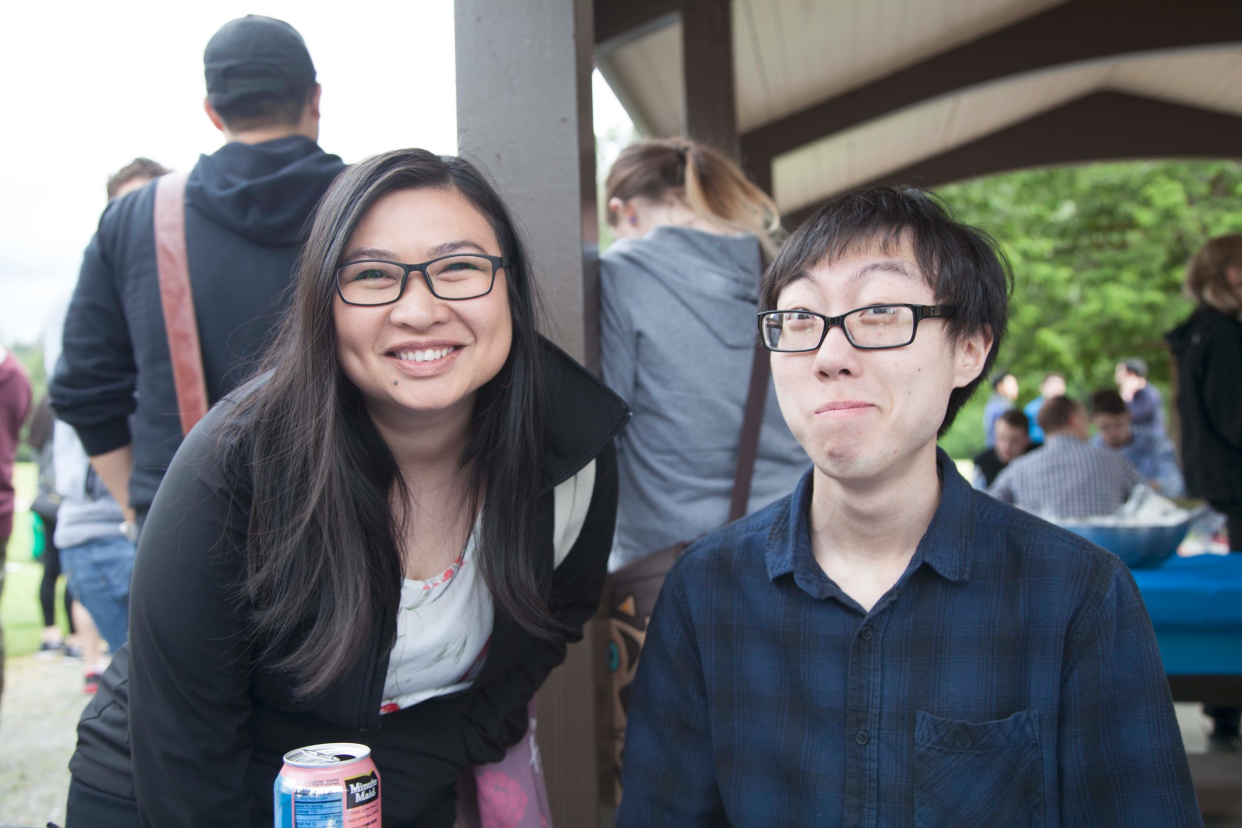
{"x":946,"y":547}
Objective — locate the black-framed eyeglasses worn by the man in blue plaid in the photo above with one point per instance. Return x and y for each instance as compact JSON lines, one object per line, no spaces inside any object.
{"x":871,"y":328}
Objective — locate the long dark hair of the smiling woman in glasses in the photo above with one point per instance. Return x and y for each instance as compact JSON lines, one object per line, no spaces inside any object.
{"x":324,"y":564}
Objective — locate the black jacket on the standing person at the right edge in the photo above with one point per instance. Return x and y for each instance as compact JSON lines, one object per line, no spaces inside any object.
{"x":1209,"y":352}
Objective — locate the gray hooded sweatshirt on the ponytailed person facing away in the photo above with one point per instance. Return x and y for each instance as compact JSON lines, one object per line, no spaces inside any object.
{"x":678,"y":338}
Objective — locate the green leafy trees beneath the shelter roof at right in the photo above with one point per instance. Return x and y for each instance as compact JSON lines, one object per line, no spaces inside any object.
{"x":1099,"y":254}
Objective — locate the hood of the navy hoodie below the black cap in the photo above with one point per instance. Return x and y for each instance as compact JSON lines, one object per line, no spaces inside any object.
{"x":263,"y":192}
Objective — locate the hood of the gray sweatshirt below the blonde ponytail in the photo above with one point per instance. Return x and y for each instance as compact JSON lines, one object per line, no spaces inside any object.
{"x":714,"y":277}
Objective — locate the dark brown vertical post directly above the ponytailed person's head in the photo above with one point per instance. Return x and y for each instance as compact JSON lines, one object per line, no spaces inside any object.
{"x":707,"y":49}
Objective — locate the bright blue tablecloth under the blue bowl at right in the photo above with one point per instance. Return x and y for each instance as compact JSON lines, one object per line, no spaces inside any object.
{"x":1197,"y":609}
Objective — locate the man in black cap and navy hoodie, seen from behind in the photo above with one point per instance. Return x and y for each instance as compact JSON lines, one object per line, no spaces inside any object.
{"x":245,"y":208}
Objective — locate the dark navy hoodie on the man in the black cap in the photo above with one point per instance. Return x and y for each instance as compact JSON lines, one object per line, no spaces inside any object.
{"x":247,"y":207}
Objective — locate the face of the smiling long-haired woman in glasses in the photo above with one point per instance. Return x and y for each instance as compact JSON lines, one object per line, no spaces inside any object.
{"x":451,"y":330}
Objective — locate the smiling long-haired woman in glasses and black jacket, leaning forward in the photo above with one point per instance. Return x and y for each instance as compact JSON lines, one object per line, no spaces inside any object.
{"x":388,"y":538}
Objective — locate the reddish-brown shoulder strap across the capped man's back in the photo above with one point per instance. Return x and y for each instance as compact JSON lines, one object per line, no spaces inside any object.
{"x":178,"y":300}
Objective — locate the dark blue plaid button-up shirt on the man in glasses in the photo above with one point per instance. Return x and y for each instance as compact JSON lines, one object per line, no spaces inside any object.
{"x":1010,"y":678}
